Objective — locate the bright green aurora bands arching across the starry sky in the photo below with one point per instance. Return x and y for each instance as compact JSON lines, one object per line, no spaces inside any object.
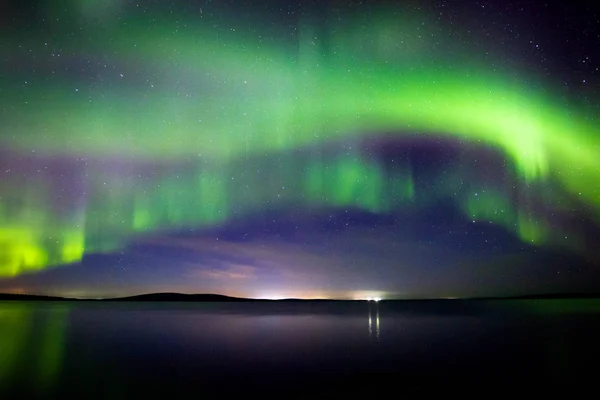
{"x":224,"y":99}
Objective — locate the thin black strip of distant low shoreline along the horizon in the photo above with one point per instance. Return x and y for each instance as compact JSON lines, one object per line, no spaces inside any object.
{"x":195,"y":298}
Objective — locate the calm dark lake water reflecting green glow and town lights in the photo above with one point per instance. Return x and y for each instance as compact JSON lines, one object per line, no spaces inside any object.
{"x":295,"y":350}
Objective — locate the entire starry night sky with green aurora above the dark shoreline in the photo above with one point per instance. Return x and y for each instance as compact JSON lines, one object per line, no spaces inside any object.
{"x":270,"y":149}
